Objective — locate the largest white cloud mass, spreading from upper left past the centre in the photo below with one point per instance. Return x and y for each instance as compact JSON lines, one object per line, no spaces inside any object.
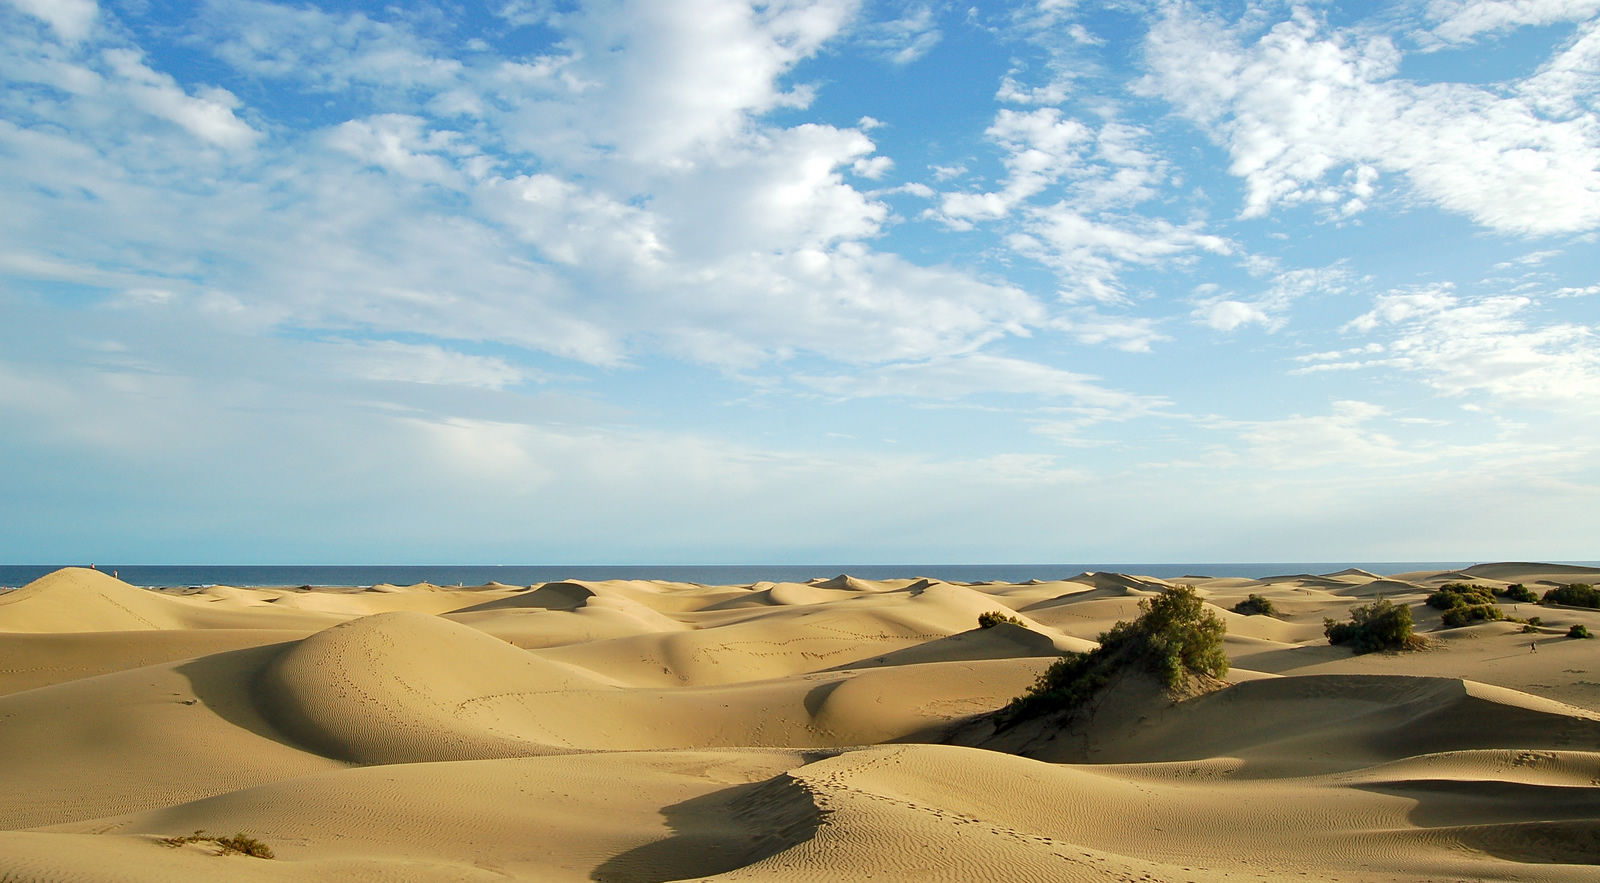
{"x":734,"y":242}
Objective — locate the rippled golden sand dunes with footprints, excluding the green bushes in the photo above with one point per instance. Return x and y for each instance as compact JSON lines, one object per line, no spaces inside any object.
{"x":828,"y":730}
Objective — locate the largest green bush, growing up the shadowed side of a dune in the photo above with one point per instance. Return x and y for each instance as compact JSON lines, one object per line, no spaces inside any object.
{"x":1174,"y":639}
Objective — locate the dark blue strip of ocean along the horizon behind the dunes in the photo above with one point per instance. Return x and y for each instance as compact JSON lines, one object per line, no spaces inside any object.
{"x":706,"y":575}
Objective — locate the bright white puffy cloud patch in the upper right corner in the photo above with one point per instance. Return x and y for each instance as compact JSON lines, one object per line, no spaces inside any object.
{"x":1297,"y":106}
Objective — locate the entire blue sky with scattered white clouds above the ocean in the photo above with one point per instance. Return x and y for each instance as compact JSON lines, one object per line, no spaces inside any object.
{"x":716,"y":282}
